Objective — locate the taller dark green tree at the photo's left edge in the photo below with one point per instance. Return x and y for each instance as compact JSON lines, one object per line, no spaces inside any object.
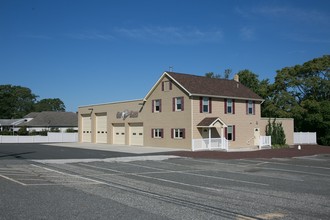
{"x":15,"y":101}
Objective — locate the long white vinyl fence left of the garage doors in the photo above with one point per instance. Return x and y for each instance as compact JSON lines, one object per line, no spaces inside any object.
{"x":52,"y":137}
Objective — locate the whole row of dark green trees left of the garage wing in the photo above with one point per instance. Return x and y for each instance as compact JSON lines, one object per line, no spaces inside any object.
{"x":18,"y":101}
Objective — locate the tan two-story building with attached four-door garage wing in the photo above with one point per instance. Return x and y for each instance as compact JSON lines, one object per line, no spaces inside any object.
{"x":179,"y":110}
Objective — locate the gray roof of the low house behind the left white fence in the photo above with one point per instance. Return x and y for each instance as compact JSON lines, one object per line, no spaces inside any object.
{"x":52,"y":119}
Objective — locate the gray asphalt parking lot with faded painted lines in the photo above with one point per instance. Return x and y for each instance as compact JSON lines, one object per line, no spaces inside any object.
{"x":119,"y":186}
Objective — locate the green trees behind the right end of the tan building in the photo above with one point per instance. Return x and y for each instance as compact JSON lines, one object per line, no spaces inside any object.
{"x":301,"y":92}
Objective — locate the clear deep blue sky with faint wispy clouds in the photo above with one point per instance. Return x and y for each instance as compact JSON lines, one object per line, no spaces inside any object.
{"x":98,"y":51}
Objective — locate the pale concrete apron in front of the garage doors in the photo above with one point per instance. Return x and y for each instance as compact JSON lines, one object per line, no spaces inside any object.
{"x":117,"y":148}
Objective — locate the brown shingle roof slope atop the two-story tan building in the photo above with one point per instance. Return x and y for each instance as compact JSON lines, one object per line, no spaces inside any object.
{"x":201,"y":85}
